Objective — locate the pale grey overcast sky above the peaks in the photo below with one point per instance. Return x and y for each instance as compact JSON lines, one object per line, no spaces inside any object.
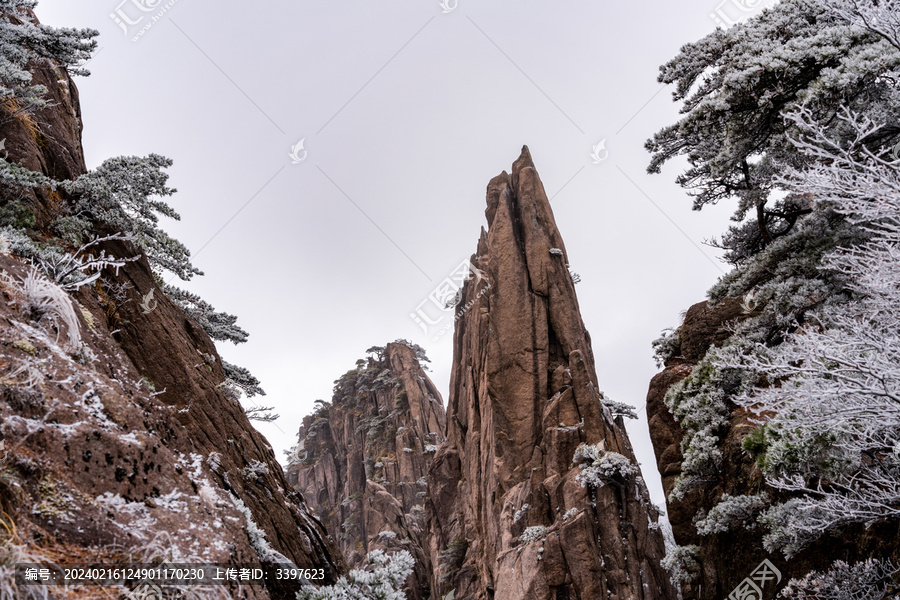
{"x":406,"y":110}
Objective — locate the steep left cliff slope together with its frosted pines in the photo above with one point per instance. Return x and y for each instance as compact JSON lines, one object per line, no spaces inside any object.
{"x":121,"y":441}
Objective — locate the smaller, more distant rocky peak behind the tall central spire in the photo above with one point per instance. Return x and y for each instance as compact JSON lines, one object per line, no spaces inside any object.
{"x":362,"y":459}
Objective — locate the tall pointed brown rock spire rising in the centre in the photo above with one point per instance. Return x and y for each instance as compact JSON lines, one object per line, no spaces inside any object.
{"x":510,"y":516}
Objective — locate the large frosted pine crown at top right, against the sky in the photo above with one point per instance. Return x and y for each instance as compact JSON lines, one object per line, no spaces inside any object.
{"x":737,"y":85}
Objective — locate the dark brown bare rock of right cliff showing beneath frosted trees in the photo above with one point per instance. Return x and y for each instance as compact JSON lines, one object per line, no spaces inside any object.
{"x":725,"y":559}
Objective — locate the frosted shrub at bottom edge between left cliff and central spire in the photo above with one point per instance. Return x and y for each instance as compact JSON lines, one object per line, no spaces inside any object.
{"x":382,"y":580}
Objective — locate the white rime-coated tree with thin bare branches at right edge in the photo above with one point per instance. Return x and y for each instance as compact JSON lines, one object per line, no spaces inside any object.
{"x":831,"y":427}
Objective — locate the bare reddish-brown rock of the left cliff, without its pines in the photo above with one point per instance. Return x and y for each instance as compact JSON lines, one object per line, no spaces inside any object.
{"x":116,"y":439}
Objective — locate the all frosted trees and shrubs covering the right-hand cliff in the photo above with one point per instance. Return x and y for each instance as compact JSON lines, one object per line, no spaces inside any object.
{"x":793,"y":113}
